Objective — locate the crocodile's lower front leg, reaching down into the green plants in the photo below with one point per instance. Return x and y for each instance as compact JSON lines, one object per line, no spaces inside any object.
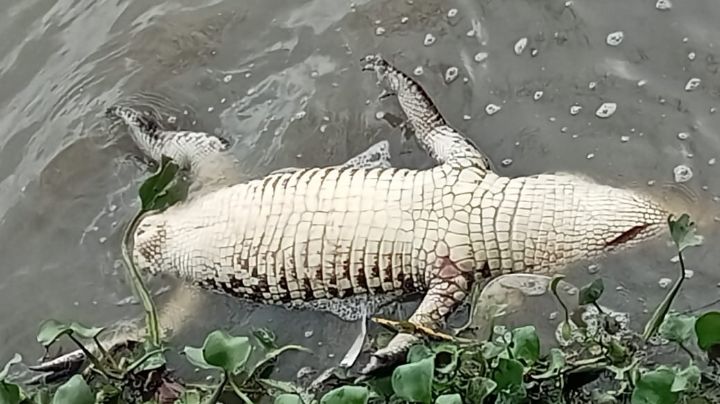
{"x":447,"y":289}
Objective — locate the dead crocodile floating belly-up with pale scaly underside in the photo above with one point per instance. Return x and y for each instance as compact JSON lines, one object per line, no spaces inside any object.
{"x":352,"y":237}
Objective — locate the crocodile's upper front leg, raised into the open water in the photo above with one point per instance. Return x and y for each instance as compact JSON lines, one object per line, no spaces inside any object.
{"x":441,"y":141}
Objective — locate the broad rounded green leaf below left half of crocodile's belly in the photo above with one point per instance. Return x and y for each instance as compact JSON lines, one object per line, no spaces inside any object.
{"x":226,"y":352}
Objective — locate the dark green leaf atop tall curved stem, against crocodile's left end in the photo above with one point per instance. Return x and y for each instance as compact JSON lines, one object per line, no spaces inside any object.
{"x":163,"y":189}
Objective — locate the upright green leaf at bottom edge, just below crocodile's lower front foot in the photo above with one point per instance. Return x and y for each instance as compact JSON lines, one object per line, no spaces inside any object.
{"x":413,"y":381}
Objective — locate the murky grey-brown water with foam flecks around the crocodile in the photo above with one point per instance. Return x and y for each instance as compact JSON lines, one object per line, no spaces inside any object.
{"x":282,"y":79}
